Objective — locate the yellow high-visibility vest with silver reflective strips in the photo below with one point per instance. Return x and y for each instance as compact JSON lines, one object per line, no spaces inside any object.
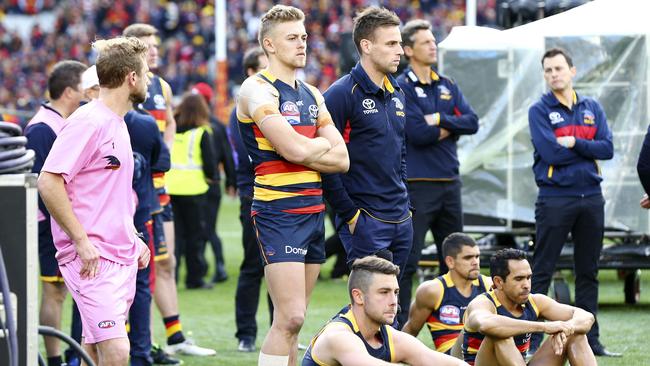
{"x":186,"y":178}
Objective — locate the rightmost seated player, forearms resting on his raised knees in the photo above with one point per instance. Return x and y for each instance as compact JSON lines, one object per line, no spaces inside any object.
{"x":499,"y":323}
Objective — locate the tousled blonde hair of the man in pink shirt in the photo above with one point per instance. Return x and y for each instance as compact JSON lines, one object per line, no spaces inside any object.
{"x":117,"y":57}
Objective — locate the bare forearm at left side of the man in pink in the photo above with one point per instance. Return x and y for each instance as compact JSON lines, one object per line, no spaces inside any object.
{"x":52,"y":190}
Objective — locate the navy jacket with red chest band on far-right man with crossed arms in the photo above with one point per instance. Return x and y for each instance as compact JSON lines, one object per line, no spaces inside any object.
{"x":560,"y":171}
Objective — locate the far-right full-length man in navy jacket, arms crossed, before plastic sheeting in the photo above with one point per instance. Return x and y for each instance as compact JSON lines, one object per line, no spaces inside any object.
{"x":570,"y":134}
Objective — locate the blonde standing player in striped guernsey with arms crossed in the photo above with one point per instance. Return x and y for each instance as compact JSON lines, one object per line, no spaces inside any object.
{"x":290,"y":138}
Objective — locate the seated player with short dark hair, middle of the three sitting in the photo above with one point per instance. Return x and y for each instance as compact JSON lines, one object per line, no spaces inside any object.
{"x":441,"y":302}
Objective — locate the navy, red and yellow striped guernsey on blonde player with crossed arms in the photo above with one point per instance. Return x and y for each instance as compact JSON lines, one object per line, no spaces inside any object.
{"x":279,"y":184}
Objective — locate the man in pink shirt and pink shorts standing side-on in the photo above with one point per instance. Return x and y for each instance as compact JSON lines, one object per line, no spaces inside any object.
{"x":86,"y":185}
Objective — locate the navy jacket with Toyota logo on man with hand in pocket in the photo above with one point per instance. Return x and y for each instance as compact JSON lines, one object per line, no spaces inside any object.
{"x":371,"y":121}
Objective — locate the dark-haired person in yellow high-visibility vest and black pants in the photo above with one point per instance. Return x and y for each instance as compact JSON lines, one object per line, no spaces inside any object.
{"x":193,"y":164}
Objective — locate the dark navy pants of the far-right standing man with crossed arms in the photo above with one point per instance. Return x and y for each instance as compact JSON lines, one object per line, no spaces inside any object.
{"x":583,"y":218}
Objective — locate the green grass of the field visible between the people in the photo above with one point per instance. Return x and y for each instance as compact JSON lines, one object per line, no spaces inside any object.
{"x":210,"y":316}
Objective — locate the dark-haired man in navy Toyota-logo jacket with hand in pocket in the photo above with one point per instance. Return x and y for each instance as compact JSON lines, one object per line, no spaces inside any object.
{"x":367,"y":106}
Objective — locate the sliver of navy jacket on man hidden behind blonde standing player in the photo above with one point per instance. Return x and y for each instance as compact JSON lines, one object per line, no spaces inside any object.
{"x":243,"y":165}
